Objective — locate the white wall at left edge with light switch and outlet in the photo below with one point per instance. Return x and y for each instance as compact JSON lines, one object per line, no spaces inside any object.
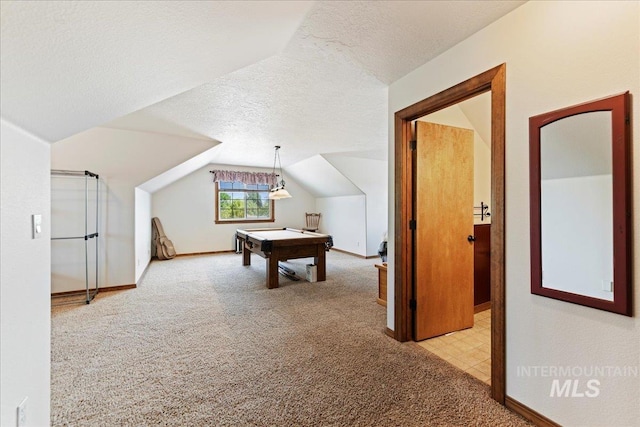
{"x":25,"y":305}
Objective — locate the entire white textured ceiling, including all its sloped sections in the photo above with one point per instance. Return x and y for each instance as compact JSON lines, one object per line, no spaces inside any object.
{"x":311,"y":77}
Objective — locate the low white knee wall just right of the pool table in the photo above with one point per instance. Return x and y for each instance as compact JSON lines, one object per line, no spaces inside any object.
{"x":342,"y":217}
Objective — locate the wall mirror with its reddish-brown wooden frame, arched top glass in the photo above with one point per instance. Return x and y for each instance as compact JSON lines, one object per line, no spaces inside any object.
{"x":580,"y":204}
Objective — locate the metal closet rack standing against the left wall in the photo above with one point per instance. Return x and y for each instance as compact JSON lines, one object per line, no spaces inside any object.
{"x":89,"y":294}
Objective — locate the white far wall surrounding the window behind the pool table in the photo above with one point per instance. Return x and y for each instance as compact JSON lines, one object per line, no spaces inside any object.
{"x":186,"y":209}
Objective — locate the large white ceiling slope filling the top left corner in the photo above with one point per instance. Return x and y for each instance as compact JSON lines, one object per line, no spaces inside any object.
{"x":71,"y":65}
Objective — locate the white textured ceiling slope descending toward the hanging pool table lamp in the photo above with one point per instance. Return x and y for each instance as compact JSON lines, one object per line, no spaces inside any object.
{"x":305,"y":107}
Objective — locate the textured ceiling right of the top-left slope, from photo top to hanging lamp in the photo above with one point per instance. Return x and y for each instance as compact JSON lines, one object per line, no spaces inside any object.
{"x":326,"y":92}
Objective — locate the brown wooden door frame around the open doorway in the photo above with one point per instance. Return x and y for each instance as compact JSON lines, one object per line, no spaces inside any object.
{"x":493,"y":81}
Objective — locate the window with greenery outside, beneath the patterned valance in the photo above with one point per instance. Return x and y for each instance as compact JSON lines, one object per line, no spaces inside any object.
{"x":240,"y":202}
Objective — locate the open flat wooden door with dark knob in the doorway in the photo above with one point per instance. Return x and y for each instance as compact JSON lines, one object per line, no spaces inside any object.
{"x":444,"y":220}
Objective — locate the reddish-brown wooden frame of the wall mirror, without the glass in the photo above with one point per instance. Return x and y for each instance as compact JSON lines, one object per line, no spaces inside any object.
{"x":618,"y":105}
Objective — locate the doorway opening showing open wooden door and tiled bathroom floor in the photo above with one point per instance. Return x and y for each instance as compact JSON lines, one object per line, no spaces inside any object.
{"x":452,"y":200}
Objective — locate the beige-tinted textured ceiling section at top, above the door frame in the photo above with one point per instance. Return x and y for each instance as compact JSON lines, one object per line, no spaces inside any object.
{"x":388,"y":39}
